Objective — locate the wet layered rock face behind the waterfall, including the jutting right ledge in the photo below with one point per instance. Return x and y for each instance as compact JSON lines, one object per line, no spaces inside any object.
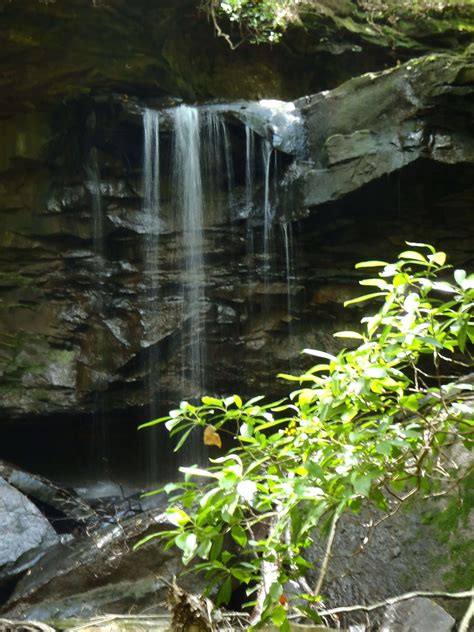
{"x":80,"y":329}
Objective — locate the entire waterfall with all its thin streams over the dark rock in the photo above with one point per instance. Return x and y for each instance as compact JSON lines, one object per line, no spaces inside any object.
{"x":203,"y":182}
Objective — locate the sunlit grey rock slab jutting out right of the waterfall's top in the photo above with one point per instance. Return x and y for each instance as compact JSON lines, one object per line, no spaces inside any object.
{"x":381,"y":122}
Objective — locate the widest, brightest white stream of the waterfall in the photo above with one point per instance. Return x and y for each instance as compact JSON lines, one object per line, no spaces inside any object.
{"x":188,"y":197}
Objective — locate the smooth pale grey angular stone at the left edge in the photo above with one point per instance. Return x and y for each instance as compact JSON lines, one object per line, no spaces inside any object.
{"x":25,"y":534}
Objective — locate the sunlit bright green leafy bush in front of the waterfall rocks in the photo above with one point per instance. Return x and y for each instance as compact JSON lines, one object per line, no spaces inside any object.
{"x":369,"y":425}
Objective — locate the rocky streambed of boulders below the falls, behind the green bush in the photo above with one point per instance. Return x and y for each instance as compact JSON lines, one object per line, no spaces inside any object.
{"x":71,"y":564}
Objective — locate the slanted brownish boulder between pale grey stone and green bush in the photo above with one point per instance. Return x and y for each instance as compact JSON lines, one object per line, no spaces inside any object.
{"x":99,"y":573}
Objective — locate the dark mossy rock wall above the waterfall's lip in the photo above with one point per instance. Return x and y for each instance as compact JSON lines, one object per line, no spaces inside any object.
{"x":51,"y":51}
